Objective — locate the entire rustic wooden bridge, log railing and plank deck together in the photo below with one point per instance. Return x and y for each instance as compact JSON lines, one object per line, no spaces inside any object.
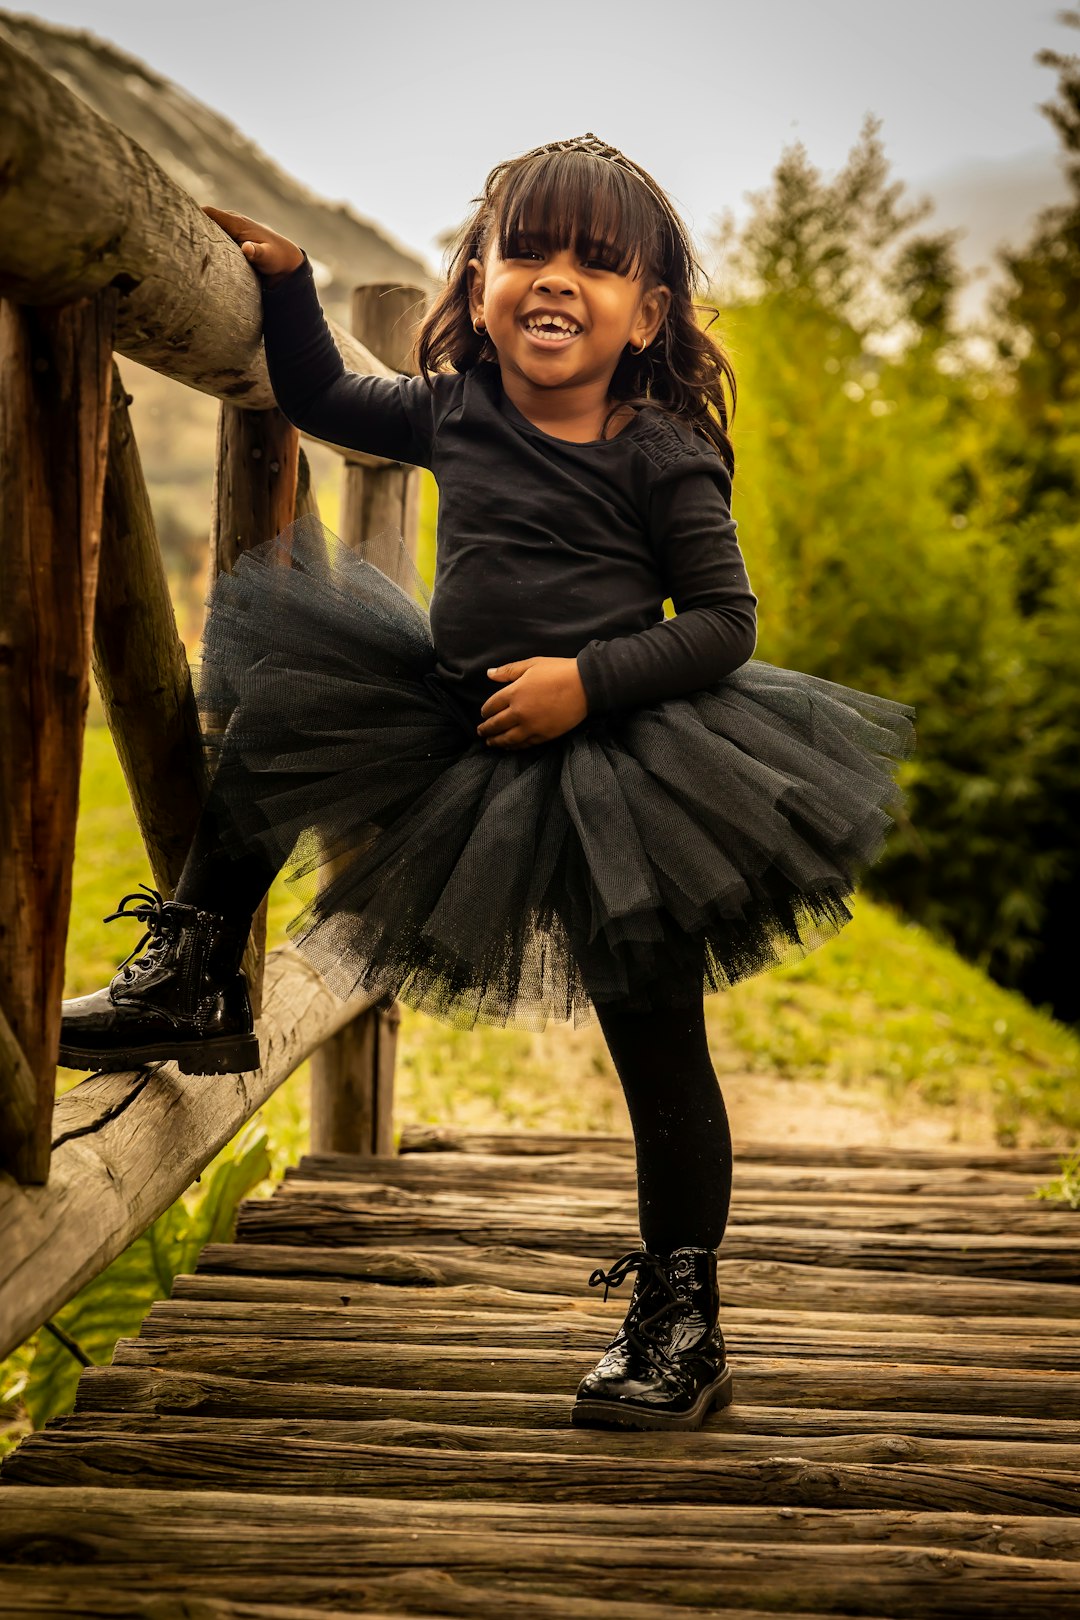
{"x":364,"y":1404}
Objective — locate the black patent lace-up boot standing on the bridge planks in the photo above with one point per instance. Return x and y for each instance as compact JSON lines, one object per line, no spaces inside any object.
{"x":668,"y":1366}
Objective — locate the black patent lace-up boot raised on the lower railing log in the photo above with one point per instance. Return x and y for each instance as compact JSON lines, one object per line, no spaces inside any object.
{"x":184,"y":1000}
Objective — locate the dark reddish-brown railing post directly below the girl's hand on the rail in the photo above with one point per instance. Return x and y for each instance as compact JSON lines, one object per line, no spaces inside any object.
{"x":255,"y":498}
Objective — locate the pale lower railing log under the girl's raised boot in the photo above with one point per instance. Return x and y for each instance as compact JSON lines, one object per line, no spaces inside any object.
{"x":127,"y":1146}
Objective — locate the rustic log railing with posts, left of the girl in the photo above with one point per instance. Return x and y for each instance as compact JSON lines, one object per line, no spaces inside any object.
{"x":101,"y":252}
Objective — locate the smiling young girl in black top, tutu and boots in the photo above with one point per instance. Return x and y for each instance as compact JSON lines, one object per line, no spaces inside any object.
{"x":542,"y":799}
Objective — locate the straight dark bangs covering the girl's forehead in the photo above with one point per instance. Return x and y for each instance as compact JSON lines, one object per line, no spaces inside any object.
{"x":572,"y":200}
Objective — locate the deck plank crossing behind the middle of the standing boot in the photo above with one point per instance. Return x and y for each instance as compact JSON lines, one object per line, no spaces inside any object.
{"x":585,"y":1332}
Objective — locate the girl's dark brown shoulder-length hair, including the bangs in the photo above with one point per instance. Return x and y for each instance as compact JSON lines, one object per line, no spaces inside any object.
{"x":585,"y":194}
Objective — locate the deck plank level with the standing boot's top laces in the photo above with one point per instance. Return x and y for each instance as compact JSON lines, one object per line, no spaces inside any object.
{"x":742,"y":1282}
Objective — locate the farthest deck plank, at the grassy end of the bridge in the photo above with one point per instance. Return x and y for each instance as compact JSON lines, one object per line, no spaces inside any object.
{"x":441,"y":1140}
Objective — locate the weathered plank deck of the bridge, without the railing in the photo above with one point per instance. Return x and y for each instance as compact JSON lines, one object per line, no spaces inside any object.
{"x":364,"y":1404}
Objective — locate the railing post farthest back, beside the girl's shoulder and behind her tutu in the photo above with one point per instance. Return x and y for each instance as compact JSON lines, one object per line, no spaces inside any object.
{"x":352,"y":1076}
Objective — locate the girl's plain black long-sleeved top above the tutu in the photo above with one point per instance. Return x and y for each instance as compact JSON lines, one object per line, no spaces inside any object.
{"x":545,"y":548}
